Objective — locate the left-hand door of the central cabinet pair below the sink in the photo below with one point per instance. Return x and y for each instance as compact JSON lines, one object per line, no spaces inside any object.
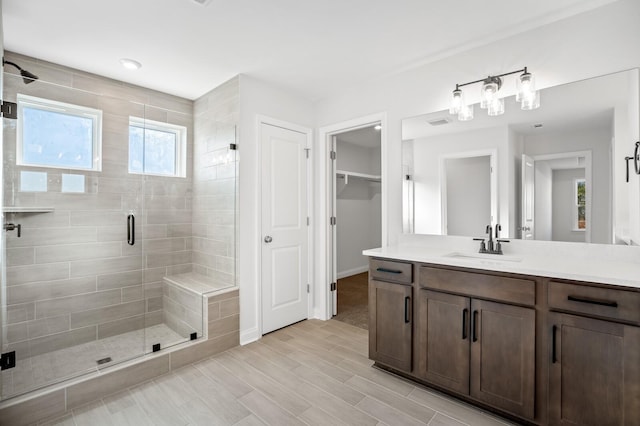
{"x":443,"y":339}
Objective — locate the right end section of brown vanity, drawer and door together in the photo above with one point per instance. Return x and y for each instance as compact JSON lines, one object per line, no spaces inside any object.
{"x":594,"y":373}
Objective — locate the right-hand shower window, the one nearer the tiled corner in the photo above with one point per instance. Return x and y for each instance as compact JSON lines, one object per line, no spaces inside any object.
{"x":157,"y":148}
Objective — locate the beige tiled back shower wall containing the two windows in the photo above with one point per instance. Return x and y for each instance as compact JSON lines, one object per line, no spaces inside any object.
{"x":72,"y":277}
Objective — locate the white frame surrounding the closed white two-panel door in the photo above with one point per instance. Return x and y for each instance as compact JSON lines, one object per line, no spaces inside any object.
{"x":263,"y":119}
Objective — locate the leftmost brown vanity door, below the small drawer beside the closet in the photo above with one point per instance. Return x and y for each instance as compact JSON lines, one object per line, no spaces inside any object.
{"x":390,"y":324}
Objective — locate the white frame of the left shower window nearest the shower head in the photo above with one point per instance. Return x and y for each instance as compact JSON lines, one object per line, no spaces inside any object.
{"x":69,"y":109}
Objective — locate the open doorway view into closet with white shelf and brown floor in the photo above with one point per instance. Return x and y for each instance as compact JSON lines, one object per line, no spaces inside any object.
{"x":357,"y":208}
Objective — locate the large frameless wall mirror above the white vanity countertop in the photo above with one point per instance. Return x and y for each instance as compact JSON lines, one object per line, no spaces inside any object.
{"x":557,"y":173}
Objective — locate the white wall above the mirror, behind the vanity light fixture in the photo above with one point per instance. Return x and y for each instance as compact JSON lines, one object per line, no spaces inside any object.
{"x":594,"y":43}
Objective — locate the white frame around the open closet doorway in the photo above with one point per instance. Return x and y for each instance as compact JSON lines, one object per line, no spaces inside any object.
{"x":322,"y":293}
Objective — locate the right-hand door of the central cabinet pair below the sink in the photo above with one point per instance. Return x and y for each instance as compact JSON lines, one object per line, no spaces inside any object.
{"x":503,"y":356}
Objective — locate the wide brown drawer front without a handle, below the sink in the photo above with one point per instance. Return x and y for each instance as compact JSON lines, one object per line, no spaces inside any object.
{"x":492,"y":287}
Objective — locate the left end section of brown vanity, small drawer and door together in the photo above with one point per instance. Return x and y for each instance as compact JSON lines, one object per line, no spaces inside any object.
{"x":390,"y":313}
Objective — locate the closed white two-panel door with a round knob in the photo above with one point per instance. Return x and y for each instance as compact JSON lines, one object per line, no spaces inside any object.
{"x":284,"y":227}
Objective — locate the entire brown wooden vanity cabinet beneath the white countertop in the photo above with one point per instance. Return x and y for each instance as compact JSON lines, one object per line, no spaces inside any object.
{"x":539,"y":350}
